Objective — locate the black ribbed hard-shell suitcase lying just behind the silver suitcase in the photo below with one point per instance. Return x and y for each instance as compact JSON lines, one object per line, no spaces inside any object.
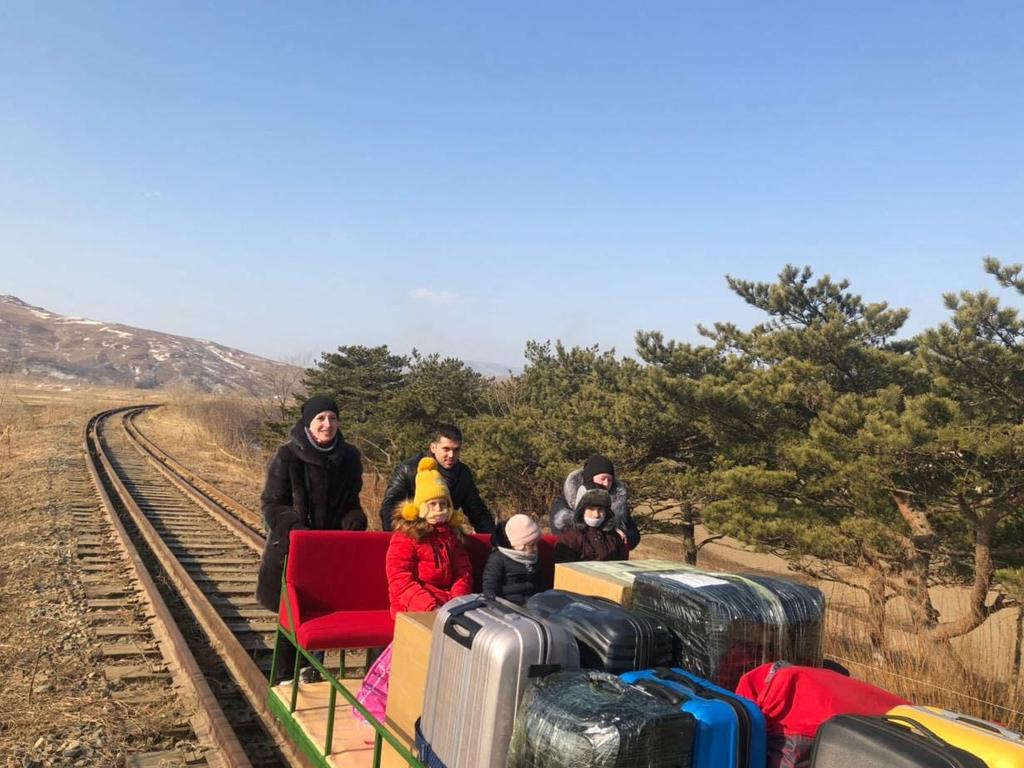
{"x":611,"y":637}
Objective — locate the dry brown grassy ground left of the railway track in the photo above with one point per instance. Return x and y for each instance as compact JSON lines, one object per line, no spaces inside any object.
{"x":54,"y":691}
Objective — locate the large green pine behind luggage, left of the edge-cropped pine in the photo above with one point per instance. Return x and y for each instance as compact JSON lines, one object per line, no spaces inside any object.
{"x":788,"y":417}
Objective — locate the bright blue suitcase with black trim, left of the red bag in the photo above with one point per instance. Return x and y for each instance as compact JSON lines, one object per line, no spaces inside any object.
{"x":731,"y":730}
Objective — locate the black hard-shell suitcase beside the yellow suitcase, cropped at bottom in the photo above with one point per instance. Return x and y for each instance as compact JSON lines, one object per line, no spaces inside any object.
{"x":859,"y":742}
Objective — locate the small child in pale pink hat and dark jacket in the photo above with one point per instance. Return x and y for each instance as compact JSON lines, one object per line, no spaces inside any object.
{"x":511,"y":571}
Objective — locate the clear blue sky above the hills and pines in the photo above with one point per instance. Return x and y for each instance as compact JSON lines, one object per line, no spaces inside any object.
{"x":462,"y":178}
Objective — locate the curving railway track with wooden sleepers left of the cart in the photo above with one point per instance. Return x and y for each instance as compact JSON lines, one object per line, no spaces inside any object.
{"x":189,"y":558}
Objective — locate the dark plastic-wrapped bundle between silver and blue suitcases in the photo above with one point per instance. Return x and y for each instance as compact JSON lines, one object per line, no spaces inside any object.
{"x":584,"y":719}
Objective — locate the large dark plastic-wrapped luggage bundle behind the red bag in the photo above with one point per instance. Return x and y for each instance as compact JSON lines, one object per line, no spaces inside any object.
{"x":726,"y":625}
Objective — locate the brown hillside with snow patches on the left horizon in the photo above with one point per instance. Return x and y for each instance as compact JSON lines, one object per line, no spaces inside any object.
{"x":37,"y":343}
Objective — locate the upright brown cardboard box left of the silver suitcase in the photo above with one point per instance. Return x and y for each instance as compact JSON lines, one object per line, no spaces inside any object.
{"x":409,"y":671}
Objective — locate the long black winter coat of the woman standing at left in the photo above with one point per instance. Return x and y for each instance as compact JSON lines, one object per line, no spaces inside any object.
{"x":307,"y":489}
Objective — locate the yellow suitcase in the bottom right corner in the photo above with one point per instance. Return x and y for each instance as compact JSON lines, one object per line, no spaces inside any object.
{"x":998,"y":747}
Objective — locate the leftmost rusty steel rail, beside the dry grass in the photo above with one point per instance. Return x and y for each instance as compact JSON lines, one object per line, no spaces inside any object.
{"x":209,"y":721}
